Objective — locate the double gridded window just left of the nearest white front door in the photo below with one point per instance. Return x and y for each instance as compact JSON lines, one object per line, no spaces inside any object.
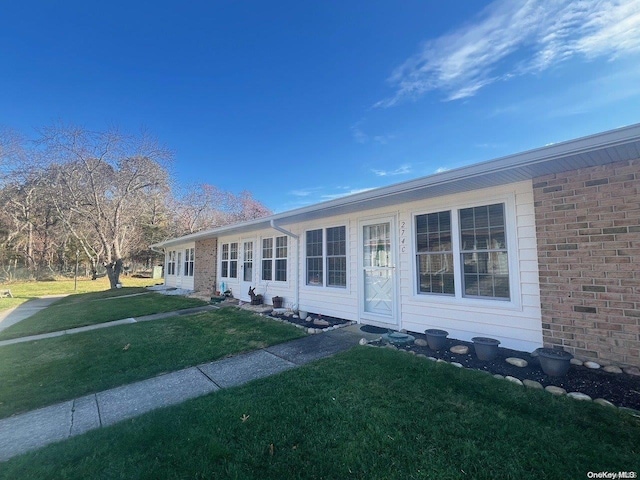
{"x":326,"y":251}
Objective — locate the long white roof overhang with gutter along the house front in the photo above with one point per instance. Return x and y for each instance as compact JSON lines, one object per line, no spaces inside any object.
{"x":599,"y":149}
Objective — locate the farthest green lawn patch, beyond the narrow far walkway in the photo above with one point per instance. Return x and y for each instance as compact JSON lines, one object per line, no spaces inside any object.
{"x":98,"y":307}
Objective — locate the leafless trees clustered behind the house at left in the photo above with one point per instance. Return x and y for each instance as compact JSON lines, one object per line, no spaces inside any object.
{"x":102,"y":195}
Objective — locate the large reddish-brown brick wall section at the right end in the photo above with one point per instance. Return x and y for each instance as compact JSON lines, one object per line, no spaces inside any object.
{"x":588,"y":230}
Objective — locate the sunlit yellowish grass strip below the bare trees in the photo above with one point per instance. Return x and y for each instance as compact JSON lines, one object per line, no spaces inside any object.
{"x":23,"y":291}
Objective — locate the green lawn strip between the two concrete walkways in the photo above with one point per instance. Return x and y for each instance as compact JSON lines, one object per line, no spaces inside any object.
{"x":39,"y":373}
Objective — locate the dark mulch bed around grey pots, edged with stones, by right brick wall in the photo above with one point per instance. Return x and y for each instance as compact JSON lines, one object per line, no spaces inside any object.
{"x":621,"y":389}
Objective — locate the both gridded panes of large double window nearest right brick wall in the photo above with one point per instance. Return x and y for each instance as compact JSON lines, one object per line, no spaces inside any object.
{"x":482,"y":250}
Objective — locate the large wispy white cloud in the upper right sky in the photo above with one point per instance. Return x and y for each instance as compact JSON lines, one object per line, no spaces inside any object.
{"x":540,"y":33}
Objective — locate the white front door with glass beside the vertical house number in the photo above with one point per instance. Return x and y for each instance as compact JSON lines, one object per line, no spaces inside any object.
{"x":378,"y":274}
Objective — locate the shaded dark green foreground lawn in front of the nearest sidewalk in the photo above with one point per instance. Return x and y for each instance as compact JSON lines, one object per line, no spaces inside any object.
{"x":365,"y":414}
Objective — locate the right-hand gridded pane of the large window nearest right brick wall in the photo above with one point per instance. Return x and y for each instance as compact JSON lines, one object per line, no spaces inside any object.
{"x":483,"y":251}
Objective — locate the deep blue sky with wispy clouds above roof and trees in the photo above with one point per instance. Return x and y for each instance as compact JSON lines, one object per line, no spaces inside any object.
{"x":299,"y":102}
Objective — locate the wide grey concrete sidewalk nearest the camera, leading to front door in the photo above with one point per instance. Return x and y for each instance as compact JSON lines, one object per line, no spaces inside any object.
{"x":35,"y":429}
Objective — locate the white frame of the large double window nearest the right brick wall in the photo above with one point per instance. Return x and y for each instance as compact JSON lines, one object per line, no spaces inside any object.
{"x":515,"y":302}
